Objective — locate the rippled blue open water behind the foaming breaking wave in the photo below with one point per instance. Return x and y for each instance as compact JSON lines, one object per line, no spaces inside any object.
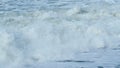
{"x":33,"y":5}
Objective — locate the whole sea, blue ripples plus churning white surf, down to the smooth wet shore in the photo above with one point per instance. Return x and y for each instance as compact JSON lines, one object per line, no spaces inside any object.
{"x":36,"y":31}
